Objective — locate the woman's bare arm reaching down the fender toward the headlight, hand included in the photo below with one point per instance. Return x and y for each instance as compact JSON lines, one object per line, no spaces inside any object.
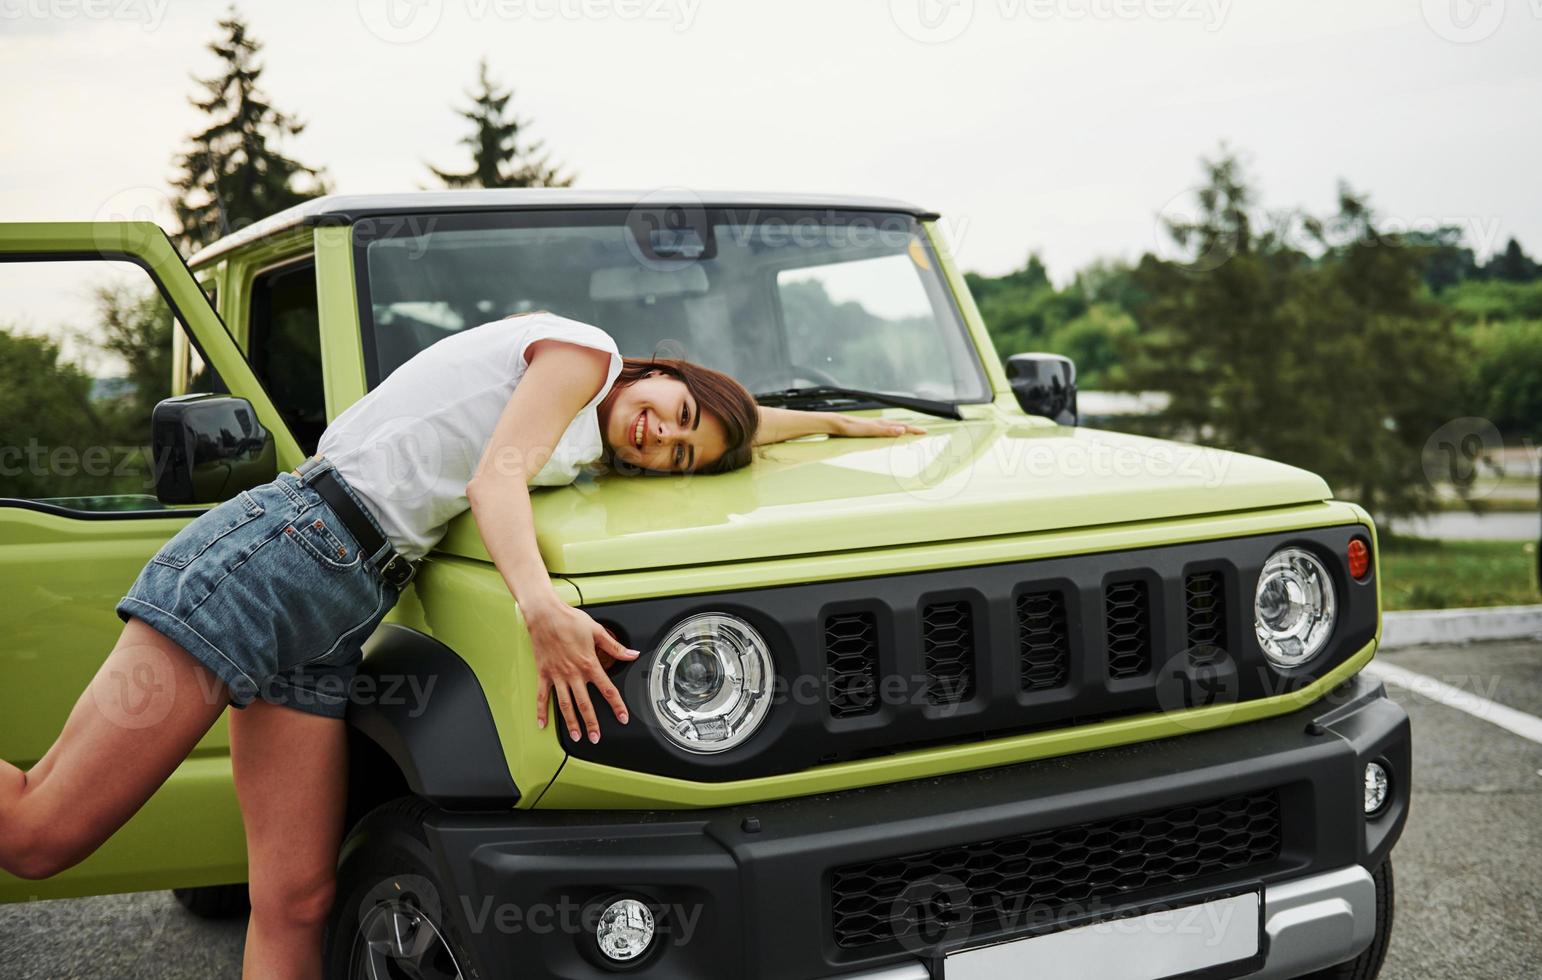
{"x":559,"y":383}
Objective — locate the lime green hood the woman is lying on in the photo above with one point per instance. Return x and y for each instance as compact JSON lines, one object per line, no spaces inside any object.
{"x":961,"y":480}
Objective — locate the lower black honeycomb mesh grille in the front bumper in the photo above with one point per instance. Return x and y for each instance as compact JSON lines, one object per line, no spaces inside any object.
{"x":975,"y":888}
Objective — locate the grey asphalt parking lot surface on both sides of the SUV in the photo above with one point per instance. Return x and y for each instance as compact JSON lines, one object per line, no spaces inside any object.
{"x":1469,"y":891}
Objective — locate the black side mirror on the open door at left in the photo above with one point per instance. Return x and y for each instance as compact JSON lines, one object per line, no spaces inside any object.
{"x":209,"y":448}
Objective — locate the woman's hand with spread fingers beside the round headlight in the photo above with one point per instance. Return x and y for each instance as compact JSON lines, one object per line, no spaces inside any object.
{"x":570,"y":648}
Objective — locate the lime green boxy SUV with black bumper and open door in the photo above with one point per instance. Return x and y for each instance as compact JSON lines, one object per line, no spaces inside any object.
{"x":1012,"y":697}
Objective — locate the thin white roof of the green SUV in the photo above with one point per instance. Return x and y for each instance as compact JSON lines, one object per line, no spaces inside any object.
{"x":348,"y":209}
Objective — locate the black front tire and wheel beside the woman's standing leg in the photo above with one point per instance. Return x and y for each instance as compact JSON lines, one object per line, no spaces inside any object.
{"x":394,"y":913}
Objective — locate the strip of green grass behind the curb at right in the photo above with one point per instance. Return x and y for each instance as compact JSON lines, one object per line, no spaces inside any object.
{"x":1426,"y":574}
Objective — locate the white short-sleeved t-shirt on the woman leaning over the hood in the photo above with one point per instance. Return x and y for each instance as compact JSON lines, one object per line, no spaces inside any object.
{"x":411,"y":446}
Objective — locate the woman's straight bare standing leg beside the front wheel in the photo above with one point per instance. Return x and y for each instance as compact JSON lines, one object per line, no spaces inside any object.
{"x":292,"y":782}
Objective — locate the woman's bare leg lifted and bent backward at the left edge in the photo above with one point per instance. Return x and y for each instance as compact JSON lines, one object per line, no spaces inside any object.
{"x":132,"y":728}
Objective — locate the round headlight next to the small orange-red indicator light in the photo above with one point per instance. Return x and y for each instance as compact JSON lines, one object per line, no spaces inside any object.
{"x":1295,"y":608}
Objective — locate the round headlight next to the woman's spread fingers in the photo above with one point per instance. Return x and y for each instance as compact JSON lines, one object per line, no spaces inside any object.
{"x":712,"y":683}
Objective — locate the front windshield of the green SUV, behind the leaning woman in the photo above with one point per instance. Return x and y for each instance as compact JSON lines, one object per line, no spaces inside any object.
{"x":778,"y":300}
